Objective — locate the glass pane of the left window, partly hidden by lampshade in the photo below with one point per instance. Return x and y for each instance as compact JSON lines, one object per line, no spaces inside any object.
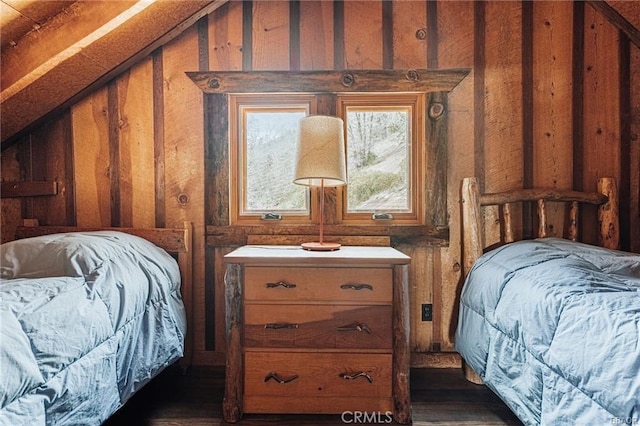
{"x":270,"y":147}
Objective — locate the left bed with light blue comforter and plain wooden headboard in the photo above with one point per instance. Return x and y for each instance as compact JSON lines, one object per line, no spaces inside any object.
{"x":88,"y":317}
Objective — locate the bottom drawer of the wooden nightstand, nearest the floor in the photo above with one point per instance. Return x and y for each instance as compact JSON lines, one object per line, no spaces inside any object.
{"x":300,"y":374}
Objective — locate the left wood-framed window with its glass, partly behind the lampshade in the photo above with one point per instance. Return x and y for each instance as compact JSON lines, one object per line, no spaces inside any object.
{"x":265,"y":134}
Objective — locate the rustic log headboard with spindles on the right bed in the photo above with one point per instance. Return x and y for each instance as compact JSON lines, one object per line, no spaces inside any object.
{"x":473,"y":235}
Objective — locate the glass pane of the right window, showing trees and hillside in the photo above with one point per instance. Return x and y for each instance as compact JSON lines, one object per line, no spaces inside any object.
{"x":378,"y":159}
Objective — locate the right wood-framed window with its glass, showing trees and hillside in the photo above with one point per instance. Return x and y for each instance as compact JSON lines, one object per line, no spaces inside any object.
{"x":384,"y":139}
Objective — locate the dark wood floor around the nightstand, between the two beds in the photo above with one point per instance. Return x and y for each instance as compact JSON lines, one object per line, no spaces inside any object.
{"x":439,"y":397}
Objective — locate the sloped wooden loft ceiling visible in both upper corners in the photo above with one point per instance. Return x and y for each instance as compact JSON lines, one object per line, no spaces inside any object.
{"x":54,"y":51}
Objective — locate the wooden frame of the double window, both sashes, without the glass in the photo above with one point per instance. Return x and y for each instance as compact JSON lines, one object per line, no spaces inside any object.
{"x":414,"y":101}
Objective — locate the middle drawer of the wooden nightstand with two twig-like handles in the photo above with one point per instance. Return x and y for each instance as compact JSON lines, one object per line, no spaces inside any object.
{"x":318,"y":326}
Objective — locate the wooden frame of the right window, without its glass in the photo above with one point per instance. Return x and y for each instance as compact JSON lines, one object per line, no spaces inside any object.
{"x":416,"y":103}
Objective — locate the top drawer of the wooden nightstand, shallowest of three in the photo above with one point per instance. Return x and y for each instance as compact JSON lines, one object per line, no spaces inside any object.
{"x":359,"y":285}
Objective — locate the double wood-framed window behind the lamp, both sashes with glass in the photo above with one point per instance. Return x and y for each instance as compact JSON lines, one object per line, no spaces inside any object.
{"x":384,"y":136}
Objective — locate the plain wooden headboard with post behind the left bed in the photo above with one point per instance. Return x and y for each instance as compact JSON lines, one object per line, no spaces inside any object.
{"x":176,"y":241}
